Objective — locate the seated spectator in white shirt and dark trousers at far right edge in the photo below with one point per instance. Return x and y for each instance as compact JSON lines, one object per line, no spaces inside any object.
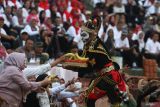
{"x":152,"y":48}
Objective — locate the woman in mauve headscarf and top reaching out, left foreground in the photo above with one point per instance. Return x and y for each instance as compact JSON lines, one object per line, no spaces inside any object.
{"x":14,"y":94}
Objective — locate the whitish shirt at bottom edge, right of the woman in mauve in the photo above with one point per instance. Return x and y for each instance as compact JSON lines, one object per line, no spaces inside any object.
{"x":43,"y":99}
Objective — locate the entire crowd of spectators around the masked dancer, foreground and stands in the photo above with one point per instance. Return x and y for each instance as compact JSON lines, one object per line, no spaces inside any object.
{"x":46,"y":29}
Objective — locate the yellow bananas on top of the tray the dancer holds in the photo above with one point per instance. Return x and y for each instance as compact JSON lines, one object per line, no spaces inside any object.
{"x":73,"y":56}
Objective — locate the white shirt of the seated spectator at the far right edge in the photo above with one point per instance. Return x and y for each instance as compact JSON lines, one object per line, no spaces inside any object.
{"x":152,"y":47}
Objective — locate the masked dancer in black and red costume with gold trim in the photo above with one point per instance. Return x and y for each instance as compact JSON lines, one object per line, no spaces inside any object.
{"x":107,"y":80}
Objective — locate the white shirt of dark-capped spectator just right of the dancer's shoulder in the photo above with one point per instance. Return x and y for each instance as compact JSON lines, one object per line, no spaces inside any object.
{"x":122,"y":43}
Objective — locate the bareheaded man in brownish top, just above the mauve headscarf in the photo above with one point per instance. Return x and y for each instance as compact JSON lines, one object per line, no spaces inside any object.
{"x":27,"y":49}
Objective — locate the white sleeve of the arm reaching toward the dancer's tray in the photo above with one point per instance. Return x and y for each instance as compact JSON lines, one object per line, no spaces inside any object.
{"x":38,"y":70}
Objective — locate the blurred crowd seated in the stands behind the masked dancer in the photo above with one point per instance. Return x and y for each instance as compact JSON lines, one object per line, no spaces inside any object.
{"x":46,"y":29}
